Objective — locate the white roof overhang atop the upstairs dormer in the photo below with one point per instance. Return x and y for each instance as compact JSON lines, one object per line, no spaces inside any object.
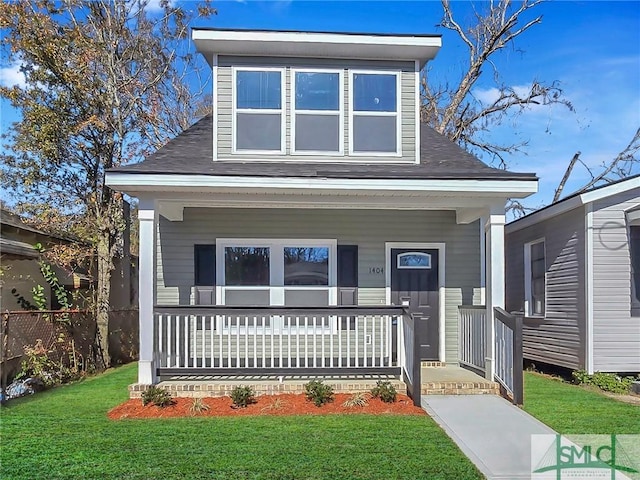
{"x":316,"y":45}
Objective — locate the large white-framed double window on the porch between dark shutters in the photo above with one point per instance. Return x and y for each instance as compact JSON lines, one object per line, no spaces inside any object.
{"x":277,"y":272}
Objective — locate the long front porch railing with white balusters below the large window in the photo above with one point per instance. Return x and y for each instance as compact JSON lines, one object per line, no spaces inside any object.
{"x":240,"y":340}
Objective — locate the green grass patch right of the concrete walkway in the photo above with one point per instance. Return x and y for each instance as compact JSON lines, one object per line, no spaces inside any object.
{"x":572,"y":409}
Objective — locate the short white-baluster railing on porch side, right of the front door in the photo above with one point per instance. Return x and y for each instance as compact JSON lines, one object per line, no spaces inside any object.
{"x":472,"y":336}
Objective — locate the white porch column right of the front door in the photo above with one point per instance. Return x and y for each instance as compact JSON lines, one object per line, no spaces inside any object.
{"x":495,"y":275}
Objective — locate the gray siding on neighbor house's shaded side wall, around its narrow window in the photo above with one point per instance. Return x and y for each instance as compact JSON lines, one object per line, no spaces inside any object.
{"x":559,"y":337}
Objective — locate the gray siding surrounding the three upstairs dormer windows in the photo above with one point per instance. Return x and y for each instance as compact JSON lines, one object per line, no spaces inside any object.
{"x":224,"y":97}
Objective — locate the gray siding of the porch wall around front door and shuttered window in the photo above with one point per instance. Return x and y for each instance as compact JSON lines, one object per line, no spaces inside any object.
{"x":369,"y":229}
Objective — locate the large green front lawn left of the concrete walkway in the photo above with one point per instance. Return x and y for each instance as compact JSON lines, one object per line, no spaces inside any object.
{"x":64,"y":433}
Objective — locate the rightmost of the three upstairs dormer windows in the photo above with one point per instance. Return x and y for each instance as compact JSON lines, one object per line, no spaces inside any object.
{"x":375,"y":113}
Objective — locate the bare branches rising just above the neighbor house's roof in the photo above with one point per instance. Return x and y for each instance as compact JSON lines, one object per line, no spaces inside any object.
{"x":620,"y":167}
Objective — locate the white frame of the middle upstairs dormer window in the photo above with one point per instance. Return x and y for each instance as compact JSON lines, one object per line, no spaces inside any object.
{"x":339,"y":112}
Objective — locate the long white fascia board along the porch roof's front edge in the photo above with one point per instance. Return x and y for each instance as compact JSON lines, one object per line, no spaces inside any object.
{"x":160,"y":183}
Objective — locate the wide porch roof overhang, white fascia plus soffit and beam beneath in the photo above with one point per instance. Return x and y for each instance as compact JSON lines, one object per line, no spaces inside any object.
{"x":470,"y":199}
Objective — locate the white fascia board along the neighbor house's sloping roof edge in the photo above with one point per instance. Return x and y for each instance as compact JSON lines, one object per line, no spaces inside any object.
{"x":573,"y":202}
